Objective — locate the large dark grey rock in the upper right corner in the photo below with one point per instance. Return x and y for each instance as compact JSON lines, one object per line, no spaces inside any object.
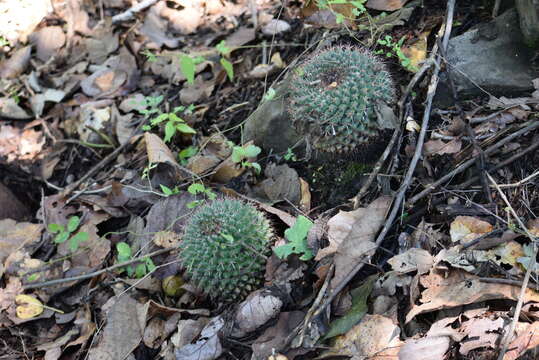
{"x":493,"y":57}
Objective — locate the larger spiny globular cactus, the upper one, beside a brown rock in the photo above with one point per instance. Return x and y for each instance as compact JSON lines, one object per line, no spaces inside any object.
{"x":333,"y":98}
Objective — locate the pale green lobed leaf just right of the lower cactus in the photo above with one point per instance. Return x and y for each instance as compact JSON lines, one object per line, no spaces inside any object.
{"x":297,"y":240}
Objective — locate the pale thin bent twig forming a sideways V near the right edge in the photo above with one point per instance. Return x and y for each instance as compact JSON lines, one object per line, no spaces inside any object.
{"x":531,"y":265}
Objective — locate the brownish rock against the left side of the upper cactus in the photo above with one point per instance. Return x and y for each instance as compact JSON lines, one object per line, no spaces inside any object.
{"x":270,"y":126}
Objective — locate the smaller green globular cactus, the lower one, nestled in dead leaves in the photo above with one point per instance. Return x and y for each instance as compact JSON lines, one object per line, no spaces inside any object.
{"x":224,"y":247}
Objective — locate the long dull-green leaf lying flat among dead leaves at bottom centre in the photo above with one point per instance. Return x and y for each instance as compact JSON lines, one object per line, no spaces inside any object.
{"x":357,"y":311}
